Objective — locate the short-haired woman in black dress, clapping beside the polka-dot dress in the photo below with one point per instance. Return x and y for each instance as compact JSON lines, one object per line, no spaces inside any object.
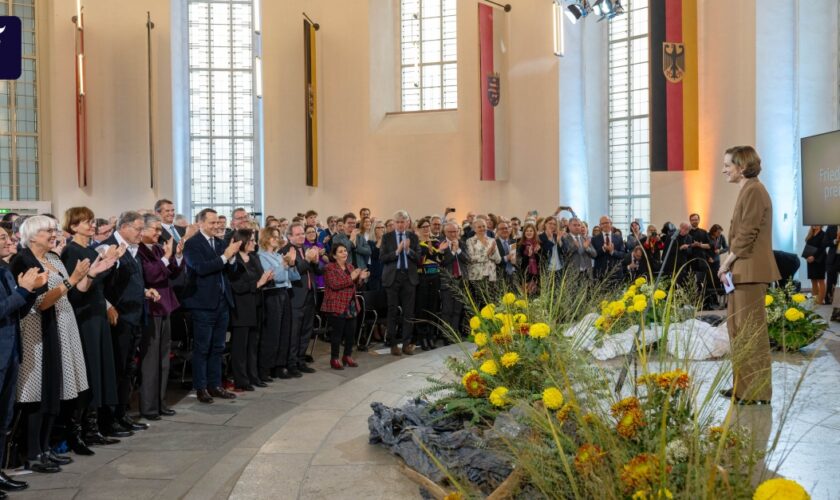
{"x":91,"y":313}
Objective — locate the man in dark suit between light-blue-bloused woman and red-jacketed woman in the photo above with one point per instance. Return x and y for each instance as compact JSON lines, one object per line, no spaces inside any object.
{"x":303,"y":297}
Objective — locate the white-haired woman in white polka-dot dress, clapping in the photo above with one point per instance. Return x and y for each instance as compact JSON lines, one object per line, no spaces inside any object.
{"x":52,"y":369}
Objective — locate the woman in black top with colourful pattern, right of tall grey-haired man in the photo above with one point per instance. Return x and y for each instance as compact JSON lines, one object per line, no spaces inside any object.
{"x":427,"y":301}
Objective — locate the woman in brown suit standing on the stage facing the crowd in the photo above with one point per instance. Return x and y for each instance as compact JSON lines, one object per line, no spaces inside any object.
{"x":753,"y":267}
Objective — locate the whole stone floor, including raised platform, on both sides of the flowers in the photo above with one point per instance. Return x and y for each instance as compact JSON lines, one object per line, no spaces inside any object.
{"x":307,"y":438}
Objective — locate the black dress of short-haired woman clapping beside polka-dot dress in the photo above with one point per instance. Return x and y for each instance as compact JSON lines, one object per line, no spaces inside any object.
{"x":92,"y":316}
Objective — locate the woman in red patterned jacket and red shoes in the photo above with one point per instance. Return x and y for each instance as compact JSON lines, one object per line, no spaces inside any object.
{"x":341,"y":281}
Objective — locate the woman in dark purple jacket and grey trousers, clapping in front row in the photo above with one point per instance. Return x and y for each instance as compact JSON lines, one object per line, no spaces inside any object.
{"x":160,"y":264}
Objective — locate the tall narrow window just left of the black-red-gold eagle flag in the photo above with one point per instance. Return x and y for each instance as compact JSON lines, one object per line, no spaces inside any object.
{"x":629,"y":166}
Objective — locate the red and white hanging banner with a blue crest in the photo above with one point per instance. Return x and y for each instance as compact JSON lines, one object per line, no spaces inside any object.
{"x":493,"y":66}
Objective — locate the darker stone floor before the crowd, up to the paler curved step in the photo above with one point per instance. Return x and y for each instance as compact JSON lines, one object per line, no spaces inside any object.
{"x":198,"y":453}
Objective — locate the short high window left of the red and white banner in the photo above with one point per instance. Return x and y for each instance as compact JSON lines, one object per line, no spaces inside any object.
{"x":428,"y":54}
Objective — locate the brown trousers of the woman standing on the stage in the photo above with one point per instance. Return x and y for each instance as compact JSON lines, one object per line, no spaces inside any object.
{"x":749,"y":342}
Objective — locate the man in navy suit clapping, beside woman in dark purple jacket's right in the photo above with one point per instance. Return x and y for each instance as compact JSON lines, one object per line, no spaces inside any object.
{"x":208,"y":296}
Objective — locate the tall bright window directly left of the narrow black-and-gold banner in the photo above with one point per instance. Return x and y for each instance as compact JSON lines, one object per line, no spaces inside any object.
{"x":224,"y":113}
